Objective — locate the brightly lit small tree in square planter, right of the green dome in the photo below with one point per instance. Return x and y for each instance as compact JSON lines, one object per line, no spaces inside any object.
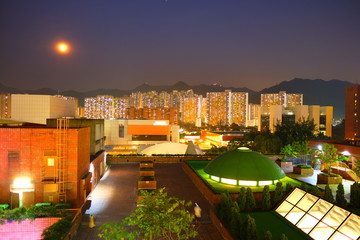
{"x":329,"y":156}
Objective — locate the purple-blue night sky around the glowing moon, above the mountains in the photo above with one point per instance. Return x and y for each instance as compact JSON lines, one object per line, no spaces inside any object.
{"x":125,"y":43}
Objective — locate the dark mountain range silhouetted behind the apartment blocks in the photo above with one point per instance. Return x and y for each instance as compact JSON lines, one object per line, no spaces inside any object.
{"x":315,"y":91}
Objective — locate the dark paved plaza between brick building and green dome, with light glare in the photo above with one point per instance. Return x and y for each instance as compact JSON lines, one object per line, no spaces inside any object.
{"x":114,"y":198}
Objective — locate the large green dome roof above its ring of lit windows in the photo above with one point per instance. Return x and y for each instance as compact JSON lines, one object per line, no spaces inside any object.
{"x":244,"y":164}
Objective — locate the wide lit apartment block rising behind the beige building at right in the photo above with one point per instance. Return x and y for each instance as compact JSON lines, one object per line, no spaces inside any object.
{"x":282,"y":98}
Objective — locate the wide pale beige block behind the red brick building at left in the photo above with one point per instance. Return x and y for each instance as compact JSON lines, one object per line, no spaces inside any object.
{"x":37,"y":108}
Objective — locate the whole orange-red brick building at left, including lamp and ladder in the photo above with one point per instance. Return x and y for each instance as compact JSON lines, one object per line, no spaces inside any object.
{"x":41,"y":164}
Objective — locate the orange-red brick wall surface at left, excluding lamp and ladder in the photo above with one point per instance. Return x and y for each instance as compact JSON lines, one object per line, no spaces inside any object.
{"x":24,"y":153}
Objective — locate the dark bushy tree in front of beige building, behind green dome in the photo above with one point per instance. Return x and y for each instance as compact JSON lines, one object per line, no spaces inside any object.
{"x":289,"y":131}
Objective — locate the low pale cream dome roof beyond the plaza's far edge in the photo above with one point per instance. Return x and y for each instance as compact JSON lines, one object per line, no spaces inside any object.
{"x":171,"y":148}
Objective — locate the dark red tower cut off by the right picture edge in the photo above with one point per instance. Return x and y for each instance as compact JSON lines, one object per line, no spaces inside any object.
{"x":352,"y":113}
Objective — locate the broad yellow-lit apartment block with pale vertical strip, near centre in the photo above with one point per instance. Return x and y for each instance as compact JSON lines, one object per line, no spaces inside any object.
{"x":227,"y":107}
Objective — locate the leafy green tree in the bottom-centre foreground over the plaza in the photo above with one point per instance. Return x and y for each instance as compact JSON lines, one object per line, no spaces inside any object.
{"x":158,"y":216}
